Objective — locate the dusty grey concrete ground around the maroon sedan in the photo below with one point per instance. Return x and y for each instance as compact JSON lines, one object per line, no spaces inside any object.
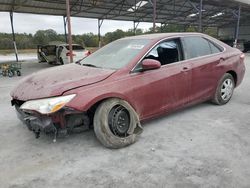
{"x":202,"y":146}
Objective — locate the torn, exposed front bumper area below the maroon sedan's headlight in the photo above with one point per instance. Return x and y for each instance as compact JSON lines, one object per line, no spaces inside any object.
{"x":59,"y":123}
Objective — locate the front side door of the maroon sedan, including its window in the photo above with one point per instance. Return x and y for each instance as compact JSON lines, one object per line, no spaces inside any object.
{"x":167,"y":88}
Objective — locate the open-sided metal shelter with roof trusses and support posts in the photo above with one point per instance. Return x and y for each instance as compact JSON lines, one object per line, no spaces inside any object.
{"x":230,"y":14}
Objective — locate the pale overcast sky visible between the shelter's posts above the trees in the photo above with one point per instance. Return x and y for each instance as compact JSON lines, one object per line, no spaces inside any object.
{"x":30,"y":23}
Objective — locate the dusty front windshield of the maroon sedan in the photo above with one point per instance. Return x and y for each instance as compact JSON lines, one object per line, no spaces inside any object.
{"x":116,"y":54}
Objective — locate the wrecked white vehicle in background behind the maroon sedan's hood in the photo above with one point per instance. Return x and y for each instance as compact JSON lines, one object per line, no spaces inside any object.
{"x":59,"y":53}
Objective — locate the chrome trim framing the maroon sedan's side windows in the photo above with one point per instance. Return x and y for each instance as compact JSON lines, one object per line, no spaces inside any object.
{"x":134,"y":71}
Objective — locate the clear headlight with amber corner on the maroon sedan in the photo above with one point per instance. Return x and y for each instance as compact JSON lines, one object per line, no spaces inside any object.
{"x":49,"y":105}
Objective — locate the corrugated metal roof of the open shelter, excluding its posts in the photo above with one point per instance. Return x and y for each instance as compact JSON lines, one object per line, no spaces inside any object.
{"x":168,"y":11}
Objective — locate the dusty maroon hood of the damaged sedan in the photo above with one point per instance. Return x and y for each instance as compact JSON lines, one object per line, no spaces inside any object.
{"x":55,"y":81}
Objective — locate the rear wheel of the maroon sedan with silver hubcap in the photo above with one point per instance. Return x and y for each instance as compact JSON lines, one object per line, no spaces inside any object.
{"x":224,"y":90}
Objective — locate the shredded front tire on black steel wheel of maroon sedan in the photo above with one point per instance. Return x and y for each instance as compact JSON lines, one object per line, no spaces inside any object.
{"x":107,"y":124}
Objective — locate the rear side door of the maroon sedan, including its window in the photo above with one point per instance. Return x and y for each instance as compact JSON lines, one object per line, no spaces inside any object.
{"x":203,"y":56}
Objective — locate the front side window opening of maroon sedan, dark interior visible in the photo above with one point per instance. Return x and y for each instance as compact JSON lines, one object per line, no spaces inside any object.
{"x":166,"y":52}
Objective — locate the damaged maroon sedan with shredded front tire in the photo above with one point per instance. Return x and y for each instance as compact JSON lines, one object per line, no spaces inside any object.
{"x":127,"y":81}
